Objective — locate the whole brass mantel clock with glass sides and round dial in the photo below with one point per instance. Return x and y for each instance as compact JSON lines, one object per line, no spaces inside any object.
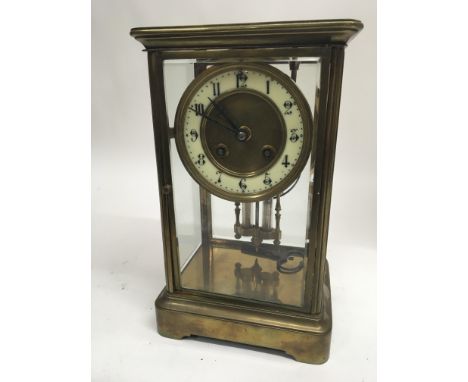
{"x":245,"y":122}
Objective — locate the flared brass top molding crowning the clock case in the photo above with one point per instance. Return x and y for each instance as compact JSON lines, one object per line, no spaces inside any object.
{"x":274,"y":34}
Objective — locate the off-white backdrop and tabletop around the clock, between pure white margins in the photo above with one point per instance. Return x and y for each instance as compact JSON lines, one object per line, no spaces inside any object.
{"x":127,"y":261}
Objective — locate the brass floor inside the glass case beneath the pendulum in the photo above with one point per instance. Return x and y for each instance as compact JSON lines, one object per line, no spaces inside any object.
{"x":287,"y":290}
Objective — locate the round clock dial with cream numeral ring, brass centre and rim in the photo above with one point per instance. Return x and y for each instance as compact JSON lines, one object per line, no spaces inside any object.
{"x":243,"y":131}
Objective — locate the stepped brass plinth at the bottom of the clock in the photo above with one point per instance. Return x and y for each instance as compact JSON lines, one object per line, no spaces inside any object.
{"x":305,"y":337}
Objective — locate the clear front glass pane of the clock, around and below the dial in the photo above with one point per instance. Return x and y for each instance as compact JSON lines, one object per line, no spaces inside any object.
{"x":253,"y":250}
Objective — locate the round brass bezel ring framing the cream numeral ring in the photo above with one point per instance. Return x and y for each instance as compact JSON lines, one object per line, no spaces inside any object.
{"x":302,"y":105}
